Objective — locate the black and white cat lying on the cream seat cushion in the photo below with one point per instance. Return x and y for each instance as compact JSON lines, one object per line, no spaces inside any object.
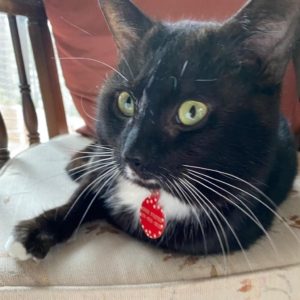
{"x":200,"y":123}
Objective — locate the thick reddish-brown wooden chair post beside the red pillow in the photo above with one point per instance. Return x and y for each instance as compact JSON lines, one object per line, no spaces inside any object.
{"x":47,"y":73}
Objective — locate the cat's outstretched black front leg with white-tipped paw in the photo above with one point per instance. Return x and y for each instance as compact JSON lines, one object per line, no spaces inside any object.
{"x":34,"y":238}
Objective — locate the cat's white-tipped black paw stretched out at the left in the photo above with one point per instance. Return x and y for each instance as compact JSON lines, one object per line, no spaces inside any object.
{"x":29,"y":241}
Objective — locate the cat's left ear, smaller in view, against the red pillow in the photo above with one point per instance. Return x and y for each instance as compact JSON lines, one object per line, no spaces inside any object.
{"x":126,"y":22}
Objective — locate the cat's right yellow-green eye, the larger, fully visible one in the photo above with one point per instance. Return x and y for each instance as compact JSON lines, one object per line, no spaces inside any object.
{"x":192,"y":112}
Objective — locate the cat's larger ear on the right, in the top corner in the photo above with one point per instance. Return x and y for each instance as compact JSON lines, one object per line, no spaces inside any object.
{"x":263,"y":34}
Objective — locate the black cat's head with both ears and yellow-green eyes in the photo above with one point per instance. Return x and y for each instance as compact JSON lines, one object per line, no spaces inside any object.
{"x":195,"y":93}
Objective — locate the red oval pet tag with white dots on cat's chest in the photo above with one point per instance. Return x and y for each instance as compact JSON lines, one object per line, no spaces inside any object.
{"x":152,"y":217}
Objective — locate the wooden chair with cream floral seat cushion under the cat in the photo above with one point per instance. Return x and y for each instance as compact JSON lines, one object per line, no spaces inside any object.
{"x":100,"y":262}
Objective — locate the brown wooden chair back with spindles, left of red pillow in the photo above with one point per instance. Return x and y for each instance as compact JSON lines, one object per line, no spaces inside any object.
{"x":46,"y":69}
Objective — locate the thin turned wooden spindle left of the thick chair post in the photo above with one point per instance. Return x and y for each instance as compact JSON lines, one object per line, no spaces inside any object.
{"x":29,"y":113}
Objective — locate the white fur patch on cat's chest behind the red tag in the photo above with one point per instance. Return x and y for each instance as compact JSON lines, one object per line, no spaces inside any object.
{"x":131,"y":196}
